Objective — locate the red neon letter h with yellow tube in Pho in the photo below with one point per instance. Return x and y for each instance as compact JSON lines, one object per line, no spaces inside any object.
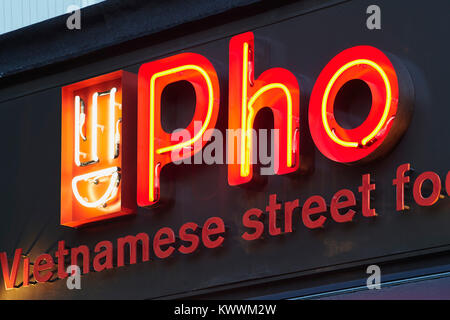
{"x":275,"y":88}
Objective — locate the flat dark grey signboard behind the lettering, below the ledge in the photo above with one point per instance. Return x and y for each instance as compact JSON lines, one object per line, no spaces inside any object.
{"x":300,"y":40}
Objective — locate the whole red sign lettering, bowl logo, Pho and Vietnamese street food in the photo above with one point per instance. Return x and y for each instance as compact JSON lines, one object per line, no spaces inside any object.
{"x":114,"y":148}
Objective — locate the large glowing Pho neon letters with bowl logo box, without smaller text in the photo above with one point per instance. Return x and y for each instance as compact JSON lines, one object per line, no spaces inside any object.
{"x":94,"y":127}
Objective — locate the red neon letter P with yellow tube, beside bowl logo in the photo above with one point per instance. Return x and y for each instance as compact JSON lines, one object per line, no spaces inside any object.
{"x":155,"y":148}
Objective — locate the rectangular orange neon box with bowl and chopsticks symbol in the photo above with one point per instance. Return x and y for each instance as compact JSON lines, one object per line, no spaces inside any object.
{"x":98,"y":149}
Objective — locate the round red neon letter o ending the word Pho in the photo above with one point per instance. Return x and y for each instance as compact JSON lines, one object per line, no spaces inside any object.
{"x":389,"y":114}
